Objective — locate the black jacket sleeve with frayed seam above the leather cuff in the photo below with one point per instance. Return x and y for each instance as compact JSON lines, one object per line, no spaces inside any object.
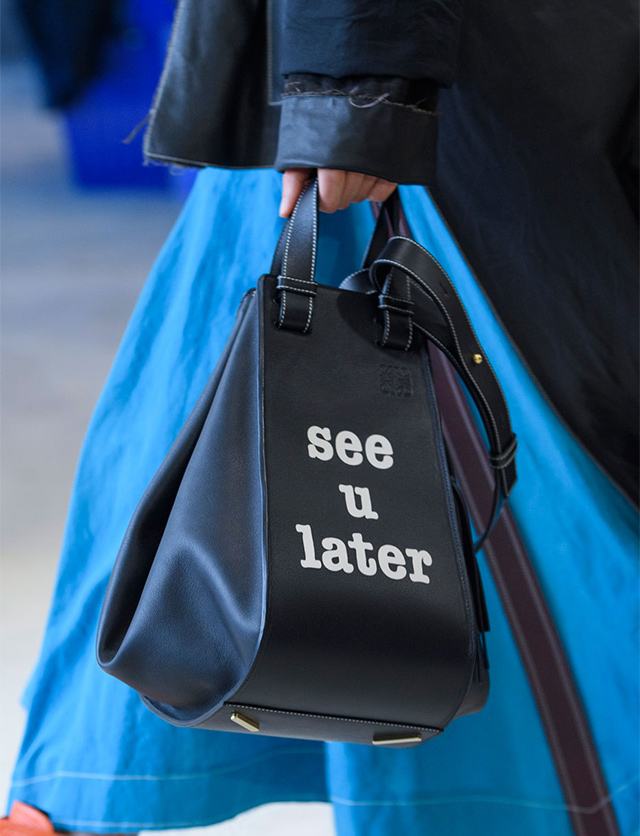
{"x":361,"y":85}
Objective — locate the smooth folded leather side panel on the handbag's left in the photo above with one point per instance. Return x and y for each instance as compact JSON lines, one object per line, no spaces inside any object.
{"x":183,"y":612}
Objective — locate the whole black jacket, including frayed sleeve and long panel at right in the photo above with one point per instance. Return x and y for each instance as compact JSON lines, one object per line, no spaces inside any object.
{"x":537,"y":138}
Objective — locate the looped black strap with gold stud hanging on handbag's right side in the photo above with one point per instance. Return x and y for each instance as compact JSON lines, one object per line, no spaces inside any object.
{"x":437,"y":312}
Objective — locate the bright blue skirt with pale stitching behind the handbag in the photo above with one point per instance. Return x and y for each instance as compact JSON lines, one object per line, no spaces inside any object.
{"x":95,"y":759}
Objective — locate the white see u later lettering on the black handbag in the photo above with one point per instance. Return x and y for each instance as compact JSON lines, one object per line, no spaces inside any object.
{"x":392,"y":561}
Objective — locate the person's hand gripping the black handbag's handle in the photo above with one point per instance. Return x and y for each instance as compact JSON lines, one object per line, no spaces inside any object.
{"x":336,"y":189}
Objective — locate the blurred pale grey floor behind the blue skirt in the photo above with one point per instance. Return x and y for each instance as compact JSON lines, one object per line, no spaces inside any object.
{"x":72,"y":264}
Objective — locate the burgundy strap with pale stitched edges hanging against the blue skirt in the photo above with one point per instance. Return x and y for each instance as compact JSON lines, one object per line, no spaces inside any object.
{"x":573,"y":749}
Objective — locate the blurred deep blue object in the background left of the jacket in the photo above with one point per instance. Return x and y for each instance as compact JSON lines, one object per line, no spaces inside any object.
{"x":112,"y":105}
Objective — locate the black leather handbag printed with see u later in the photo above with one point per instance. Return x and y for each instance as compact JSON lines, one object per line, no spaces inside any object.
{"x":302,"y":563}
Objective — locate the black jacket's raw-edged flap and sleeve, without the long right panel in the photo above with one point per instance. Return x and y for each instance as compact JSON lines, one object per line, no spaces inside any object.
{"x":288,"y":83}
